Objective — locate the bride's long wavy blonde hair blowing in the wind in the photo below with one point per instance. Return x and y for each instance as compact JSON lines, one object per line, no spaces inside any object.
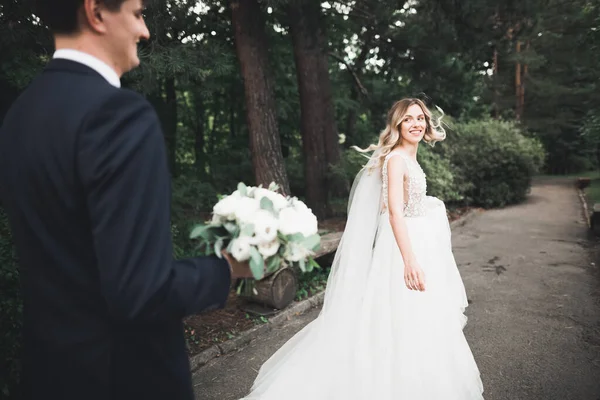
{"x":391,"y":136}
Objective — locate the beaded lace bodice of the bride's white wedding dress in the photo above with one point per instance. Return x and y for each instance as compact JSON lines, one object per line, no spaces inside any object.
{"x":415,"y":190}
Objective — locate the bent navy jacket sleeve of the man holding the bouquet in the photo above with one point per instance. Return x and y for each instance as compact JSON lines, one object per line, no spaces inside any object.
{"x":122,"y":163}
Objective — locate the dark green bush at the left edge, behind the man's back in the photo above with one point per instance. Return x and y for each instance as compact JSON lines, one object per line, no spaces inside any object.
{"x":10,"y":313}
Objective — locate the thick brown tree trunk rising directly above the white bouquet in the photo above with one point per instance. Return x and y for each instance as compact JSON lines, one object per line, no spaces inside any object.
{"x":251,"y":46}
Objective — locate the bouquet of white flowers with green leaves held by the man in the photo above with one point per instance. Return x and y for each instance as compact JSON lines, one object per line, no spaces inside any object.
{"x":262,"y":227}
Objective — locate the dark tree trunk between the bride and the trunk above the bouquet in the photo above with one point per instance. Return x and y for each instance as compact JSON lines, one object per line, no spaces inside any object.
{"x":316,"y":126}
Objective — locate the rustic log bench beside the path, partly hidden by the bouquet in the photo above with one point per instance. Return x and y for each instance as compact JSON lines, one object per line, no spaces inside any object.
{"x":279,"y":290}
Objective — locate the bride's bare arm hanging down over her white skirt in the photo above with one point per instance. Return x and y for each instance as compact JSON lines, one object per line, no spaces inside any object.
{"x":413,"y":274}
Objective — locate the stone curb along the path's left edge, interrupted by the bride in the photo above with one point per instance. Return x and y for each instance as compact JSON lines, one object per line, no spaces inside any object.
{"x":287,"y":314}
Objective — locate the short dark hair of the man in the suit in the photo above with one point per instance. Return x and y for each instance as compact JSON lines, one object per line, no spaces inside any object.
{"x":61,"y":16}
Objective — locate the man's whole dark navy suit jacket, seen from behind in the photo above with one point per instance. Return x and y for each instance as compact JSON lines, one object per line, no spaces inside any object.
{"x":85,"y":184}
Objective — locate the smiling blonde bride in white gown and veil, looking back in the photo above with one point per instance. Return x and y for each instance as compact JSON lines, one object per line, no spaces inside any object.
{"x":392,"y":322}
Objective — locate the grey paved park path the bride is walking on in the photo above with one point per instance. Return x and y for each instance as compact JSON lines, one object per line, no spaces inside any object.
{"x":534,"y":318}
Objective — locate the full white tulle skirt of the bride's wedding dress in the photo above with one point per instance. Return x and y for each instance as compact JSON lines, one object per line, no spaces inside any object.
{"x":393,"y":343}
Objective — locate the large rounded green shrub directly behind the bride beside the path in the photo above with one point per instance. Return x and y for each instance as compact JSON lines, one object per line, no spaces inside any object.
{"x":484,"y":163}
